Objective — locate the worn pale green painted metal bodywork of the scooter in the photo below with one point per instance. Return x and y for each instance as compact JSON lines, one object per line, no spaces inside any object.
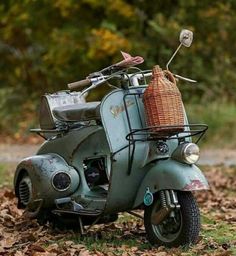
{"x":130,"y":171}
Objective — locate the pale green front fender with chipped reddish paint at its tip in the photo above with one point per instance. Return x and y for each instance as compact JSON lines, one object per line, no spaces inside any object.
{"x":170,"y":174}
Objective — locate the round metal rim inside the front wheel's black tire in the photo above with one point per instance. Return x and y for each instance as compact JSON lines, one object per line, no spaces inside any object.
{"x":170,"y":228}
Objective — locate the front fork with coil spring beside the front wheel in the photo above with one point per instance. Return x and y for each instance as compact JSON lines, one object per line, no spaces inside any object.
{"x":169,"y":202}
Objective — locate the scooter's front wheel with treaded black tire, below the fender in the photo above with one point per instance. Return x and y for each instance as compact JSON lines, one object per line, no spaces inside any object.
{"x":183,"y":231}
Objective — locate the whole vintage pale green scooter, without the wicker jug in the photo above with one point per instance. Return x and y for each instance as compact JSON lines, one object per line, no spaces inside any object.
{"x":100,"y":158}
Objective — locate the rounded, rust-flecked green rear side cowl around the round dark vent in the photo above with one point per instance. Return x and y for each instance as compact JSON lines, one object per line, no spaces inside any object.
{"x":41,"y":169}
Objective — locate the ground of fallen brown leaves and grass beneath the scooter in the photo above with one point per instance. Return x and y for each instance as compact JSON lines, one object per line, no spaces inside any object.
{"x":21,"y":236}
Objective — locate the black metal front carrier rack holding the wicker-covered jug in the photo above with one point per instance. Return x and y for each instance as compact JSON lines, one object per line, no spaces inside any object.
{"x":155,"y":133}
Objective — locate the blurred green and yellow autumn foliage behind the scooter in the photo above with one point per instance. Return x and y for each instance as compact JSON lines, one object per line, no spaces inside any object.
{"x":45,"y":44}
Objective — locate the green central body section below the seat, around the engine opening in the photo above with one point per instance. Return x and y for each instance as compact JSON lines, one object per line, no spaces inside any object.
{"x":76,"y":146}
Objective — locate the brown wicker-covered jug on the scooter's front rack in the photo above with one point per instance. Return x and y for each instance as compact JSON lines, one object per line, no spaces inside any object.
{"x":163,"y":103}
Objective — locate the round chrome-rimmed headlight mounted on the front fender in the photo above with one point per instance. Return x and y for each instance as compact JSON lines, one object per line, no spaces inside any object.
{"x":188,"y":153}
